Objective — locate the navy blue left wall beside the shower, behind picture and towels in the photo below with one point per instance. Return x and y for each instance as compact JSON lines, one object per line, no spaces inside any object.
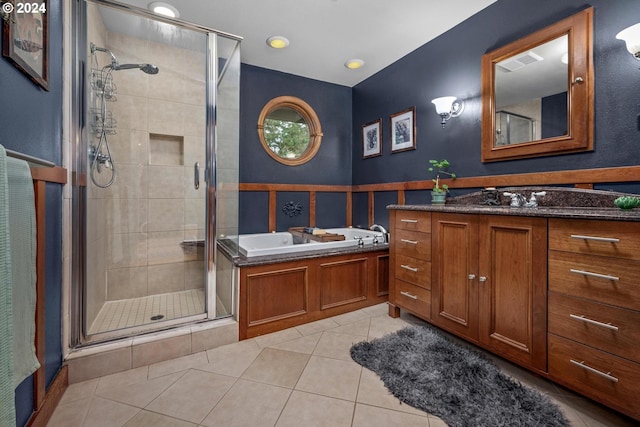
{"x":31,"y":122}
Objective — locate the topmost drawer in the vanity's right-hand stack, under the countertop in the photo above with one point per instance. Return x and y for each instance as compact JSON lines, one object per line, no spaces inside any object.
{"x":606,"y":238}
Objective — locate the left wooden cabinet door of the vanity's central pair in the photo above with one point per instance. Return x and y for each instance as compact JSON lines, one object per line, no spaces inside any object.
{"x":454,"y":290}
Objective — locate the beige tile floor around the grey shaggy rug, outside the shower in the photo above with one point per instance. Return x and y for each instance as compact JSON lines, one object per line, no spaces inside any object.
{"x":301,"y":376}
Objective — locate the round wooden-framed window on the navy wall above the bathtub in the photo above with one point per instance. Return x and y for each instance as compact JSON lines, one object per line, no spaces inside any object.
{"x":289,"y":130}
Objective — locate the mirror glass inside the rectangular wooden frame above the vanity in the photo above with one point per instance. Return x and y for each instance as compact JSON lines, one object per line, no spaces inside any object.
{"x":531,"y":90}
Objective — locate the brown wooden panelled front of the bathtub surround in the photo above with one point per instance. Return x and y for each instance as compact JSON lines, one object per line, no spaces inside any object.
{"x":281,"y":295}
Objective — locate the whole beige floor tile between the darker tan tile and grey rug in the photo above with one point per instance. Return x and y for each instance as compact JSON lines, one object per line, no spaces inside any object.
{"x":330,"y":377}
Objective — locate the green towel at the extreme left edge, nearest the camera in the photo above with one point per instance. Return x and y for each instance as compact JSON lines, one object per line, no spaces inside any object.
{"x":7,"y":406}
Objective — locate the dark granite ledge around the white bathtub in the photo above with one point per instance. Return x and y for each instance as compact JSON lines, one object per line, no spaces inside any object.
{"x":242,"y":261}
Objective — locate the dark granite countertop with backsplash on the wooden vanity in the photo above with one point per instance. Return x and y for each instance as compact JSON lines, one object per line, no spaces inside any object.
{"x":559,"y":202}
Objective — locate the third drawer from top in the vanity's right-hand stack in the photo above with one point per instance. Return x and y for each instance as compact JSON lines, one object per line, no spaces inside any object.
{"x":611,"y":329}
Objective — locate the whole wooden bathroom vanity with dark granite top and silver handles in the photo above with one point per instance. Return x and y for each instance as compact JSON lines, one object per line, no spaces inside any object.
{"x":555,"y":289}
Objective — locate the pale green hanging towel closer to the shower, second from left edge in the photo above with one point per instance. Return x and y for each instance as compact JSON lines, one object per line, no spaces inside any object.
{"x":22,"y":235}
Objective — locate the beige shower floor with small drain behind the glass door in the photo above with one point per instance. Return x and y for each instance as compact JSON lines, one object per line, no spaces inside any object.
{"x":133,"y":312}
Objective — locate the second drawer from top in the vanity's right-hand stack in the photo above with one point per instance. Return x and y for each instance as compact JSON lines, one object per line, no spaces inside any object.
{"x":607,"y":280}
